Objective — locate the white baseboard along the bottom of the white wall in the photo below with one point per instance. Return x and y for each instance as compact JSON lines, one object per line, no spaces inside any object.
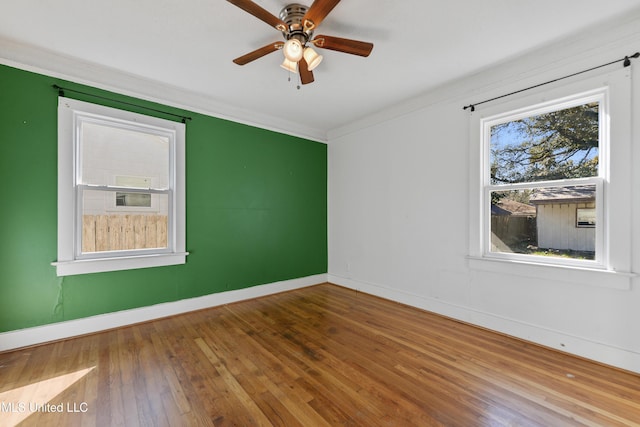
{"x":579,"y":346}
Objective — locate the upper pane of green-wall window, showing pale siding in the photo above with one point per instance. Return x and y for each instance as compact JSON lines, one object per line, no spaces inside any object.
{"x":129,"y":158}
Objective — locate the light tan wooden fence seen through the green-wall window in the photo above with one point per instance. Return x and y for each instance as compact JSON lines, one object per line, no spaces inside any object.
{"x":123,"y":232}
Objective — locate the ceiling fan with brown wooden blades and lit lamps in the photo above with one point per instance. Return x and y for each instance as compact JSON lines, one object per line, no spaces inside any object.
{"x":297,"y":23}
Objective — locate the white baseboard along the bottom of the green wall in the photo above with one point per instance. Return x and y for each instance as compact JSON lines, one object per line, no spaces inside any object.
{"x":57,"y":331}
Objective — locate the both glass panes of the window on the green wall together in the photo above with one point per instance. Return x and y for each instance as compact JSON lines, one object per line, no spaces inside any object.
{"x":120,"y":156}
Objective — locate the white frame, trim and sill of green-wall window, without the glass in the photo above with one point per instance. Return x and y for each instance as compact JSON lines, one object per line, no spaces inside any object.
{"x":71,"y":114}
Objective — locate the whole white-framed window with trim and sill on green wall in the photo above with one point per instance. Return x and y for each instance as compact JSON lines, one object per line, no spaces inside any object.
{"x":121,"y":201}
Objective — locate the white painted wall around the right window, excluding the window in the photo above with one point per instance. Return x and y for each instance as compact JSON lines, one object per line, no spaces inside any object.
{"x":399,"y":192}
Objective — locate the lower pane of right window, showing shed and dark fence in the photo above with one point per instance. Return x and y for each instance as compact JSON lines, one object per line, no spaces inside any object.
{"x":545,"y":221}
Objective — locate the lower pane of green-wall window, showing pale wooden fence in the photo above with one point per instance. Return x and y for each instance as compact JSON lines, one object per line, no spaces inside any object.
{"x":107,"y":226}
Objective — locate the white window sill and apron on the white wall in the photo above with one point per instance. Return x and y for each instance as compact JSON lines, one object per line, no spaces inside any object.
{"x":571,"y":274}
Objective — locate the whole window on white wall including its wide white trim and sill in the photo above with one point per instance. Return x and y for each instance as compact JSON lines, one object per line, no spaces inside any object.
{"x":550,"y":183}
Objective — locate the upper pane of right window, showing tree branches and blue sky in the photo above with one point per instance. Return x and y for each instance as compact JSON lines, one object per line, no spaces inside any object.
{"x":561,"y":144}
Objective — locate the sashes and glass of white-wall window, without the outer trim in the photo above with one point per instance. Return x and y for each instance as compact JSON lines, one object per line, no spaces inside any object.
{"x":546,"y":158}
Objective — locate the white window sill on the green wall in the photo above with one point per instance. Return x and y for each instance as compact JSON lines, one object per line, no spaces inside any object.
{"x":98,"y":265}
